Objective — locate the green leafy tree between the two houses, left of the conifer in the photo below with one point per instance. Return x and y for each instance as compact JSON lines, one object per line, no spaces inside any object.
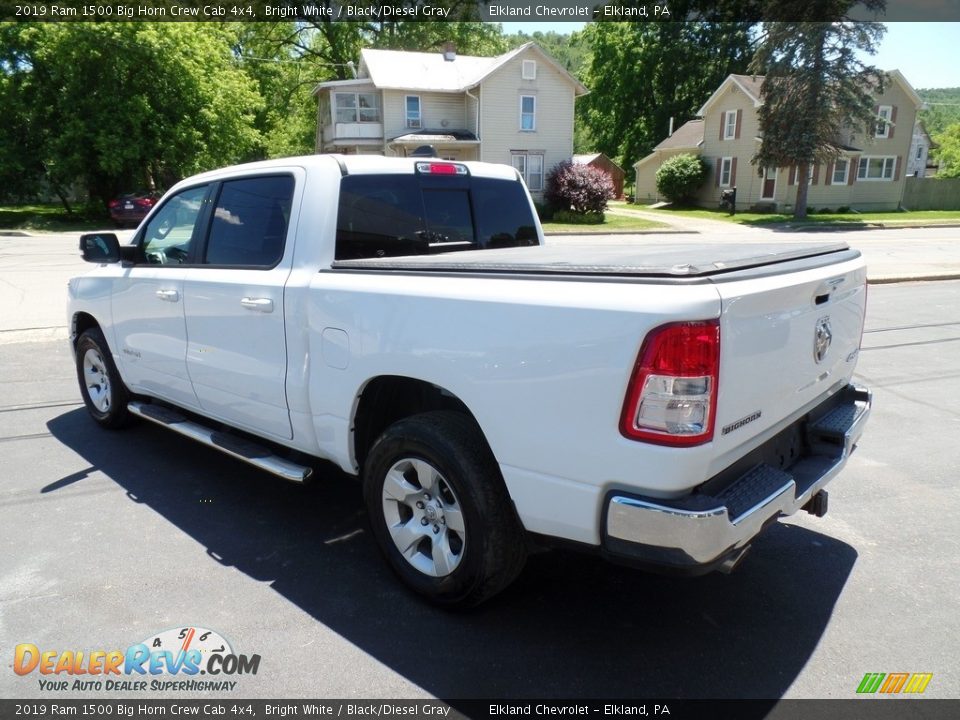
{"x":642,"y":74}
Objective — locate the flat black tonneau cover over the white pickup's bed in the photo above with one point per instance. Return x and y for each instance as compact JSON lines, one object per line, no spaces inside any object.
{"x":663,"y":260}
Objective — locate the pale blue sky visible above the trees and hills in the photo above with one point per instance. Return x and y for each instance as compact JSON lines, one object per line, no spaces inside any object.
{"x":925,"y":52}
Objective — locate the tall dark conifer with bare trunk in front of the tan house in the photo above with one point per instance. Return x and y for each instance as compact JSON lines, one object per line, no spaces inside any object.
{"x":817,"y":95}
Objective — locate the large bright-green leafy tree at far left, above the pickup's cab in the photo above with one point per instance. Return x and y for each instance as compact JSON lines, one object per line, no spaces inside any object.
{"x":120,"y":105}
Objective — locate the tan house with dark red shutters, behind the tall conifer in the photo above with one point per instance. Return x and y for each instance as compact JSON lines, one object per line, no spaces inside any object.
{"x":868,"y":175}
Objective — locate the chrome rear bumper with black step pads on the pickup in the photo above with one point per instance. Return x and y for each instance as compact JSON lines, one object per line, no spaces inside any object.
{"x":714,"y":524}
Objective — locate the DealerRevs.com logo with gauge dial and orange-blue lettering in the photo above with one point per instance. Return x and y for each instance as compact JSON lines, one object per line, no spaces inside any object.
{"x":171,"y":660}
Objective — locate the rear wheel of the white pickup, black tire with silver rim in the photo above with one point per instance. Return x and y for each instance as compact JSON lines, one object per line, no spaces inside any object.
{"x":440,"y":511}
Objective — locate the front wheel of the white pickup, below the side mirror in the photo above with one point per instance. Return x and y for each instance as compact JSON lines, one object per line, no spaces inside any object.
{"x":103,"y":392}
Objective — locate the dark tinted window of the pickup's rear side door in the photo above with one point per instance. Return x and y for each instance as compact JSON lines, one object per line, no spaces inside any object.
{"x":249,"y":224}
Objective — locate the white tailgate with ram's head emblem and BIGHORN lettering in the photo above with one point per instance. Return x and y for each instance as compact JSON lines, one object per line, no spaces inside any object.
{"x":786,"y":341}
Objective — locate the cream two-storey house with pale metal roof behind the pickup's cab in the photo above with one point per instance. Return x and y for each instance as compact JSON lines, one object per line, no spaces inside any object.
{"x":516,"y":108}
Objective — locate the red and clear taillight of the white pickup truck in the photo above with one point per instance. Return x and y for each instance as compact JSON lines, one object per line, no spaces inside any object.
{"x":672,"y":396}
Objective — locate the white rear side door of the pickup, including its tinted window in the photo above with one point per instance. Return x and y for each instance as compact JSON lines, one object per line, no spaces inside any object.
{"x":233,"y":303}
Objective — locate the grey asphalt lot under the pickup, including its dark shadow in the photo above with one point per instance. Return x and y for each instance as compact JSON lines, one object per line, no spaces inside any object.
{"x":107,"y":539}
